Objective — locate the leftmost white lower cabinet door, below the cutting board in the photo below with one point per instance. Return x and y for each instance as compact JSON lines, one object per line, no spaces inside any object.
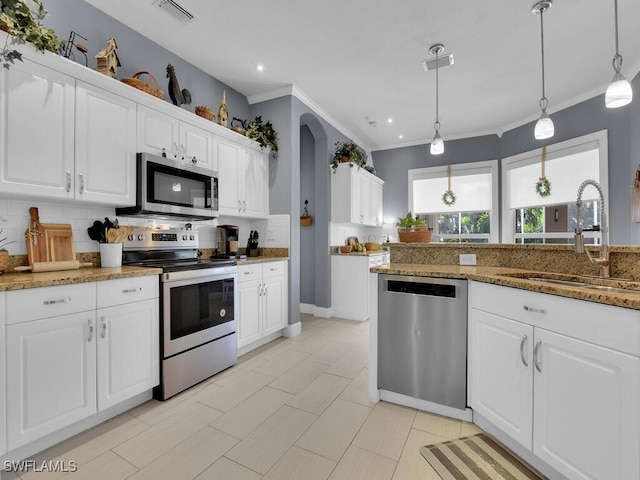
{"x":51,"y":375}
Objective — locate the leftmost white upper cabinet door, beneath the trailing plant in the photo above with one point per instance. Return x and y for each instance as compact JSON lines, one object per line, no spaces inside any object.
{"x":36,"y":131}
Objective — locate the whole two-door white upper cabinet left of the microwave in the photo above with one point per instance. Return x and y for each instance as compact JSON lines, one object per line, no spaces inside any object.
{"x":63,"y":138}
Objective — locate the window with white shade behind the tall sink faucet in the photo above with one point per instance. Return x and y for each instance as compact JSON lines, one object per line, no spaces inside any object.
{"x":529,"y":218}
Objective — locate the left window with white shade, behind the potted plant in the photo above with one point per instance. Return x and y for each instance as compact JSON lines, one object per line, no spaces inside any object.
{"x":474,"y":215}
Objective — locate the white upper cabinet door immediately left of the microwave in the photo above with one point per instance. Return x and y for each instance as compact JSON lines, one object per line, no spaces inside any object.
{"x":105,"y":146}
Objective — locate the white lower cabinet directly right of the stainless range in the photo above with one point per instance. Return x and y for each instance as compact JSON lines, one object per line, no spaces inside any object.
{"x":262,"y":291}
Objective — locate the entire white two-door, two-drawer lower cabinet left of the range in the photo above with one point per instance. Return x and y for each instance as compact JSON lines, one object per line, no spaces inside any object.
{"x":74,"y":350}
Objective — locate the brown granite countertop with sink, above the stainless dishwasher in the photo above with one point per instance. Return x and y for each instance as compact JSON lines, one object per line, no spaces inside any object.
{"x":519,"y":278}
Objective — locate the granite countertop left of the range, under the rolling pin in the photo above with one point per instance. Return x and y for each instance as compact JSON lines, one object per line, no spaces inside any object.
{"x":19,"y":281}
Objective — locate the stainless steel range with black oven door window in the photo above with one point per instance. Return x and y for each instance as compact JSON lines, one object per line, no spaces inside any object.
{"x":198,"y":305}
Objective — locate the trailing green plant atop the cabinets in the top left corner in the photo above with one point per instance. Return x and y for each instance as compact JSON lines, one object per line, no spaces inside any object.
{"x":23,"y":21}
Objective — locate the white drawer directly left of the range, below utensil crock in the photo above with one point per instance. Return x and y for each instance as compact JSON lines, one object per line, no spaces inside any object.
{"x":127,"y":290}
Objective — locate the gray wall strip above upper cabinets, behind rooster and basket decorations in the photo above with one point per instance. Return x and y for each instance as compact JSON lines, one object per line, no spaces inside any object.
{"x":138,"y":53}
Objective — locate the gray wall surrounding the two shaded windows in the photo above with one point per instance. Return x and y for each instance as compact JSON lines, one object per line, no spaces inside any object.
{"x":590,"y":116}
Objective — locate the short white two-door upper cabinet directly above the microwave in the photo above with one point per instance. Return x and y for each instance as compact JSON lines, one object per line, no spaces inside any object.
{"x":188,"y":144}
